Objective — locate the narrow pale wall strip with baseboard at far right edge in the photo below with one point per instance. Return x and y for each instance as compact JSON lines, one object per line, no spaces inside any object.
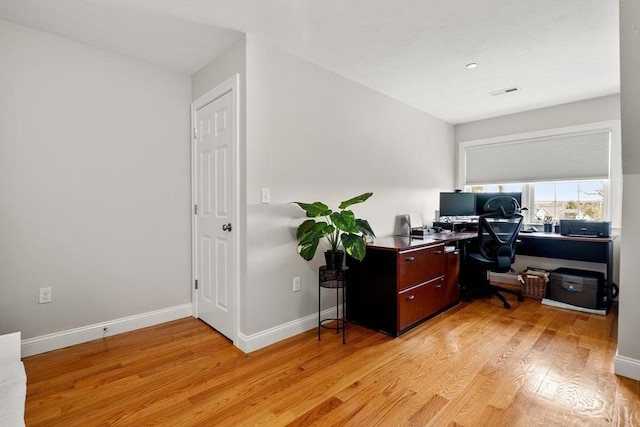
{"x":628,"y":357}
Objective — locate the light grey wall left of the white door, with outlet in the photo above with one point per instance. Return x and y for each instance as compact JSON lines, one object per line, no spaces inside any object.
{"x":94,"y":168}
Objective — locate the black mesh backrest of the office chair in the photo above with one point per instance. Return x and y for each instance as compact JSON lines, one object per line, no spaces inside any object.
{"x":498,"y":230}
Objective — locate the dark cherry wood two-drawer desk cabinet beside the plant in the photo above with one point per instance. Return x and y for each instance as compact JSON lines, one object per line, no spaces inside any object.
{"x":401,"y":282}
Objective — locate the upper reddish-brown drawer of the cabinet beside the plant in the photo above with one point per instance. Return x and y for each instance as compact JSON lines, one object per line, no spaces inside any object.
{"x":419,"y":266}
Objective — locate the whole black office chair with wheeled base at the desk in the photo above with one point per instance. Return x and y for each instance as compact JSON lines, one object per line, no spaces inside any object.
{"x":493,"y":250}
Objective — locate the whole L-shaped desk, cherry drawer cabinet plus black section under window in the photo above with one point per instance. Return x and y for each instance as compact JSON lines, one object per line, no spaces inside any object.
{"x":404,"y":281}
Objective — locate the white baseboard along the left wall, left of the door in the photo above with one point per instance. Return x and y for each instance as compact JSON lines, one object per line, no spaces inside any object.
{"x":69,"y":337}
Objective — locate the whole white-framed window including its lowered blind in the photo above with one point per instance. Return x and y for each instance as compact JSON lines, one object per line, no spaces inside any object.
{"x":563,"y":173}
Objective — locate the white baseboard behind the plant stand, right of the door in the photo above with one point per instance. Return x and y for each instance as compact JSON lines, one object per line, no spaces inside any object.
{"x":249,"y":343}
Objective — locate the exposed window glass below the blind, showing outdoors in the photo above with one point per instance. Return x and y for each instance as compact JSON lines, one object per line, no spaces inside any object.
{"x":556,"y":200}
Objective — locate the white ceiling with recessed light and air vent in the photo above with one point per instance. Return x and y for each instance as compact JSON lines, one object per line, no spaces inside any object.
{"x":554,"y":51}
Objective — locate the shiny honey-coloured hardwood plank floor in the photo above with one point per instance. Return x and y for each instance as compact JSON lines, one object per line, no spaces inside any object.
{"x":474,"y":365}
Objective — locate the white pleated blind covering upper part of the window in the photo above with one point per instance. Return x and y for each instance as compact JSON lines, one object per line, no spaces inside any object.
{"x":570,"y":156}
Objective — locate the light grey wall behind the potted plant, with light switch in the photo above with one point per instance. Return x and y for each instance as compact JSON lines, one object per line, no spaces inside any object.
{"x":313,"y":135}
